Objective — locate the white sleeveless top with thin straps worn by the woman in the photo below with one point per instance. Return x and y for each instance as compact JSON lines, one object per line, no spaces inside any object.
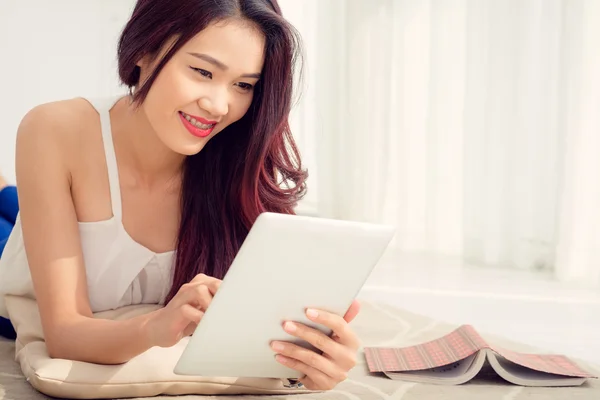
{"x":119,"y":270}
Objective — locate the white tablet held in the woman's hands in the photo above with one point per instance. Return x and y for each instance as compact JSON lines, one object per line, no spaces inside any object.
{"x":286,"y":264}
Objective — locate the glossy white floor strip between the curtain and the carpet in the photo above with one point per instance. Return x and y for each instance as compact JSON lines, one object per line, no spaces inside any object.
{"x":528,"y":307}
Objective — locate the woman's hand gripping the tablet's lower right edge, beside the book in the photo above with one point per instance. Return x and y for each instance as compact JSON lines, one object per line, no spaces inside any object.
{"x":322,"y":371}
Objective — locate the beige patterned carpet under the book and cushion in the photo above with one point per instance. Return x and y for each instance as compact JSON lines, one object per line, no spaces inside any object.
{"x":377,"y":325}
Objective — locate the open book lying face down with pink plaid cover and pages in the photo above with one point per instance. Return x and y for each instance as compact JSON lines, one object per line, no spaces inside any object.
{"x":462,"y":354}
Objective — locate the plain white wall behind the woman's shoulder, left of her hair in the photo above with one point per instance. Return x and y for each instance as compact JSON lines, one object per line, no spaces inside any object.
{"x":53,"y":50}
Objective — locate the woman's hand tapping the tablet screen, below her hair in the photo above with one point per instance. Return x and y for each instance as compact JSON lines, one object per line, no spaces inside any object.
{"x":168,"y":325}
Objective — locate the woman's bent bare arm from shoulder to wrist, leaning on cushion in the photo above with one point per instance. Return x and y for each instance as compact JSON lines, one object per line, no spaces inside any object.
{"x":51,"y":236}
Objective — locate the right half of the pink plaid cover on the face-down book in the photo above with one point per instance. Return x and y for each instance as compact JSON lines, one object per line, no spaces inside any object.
{"x":549,"y":363}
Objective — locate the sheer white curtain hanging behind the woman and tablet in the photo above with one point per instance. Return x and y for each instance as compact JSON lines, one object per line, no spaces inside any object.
{"x":471,"y":125}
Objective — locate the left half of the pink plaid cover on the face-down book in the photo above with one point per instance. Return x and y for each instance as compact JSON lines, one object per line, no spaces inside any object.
{"x":457,"y":345}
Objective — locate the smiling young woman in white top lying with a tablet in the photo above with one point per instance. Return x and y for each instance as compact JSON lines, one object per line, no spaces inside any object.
{"x":146,"y":198}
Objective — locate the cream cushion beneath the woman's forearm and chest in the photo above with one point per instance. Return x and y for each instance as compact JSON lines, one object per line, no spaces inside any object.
{"x":149,"y":374}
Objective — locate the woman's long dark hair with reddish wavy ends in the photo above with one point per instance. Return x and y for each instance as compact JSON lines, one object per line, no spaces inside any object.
{"x":250,"y":167}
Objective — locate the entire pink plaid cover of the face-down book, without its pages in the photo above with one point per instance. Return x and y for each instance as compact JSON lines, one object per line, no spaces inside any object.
{"x":458,"y":345}
